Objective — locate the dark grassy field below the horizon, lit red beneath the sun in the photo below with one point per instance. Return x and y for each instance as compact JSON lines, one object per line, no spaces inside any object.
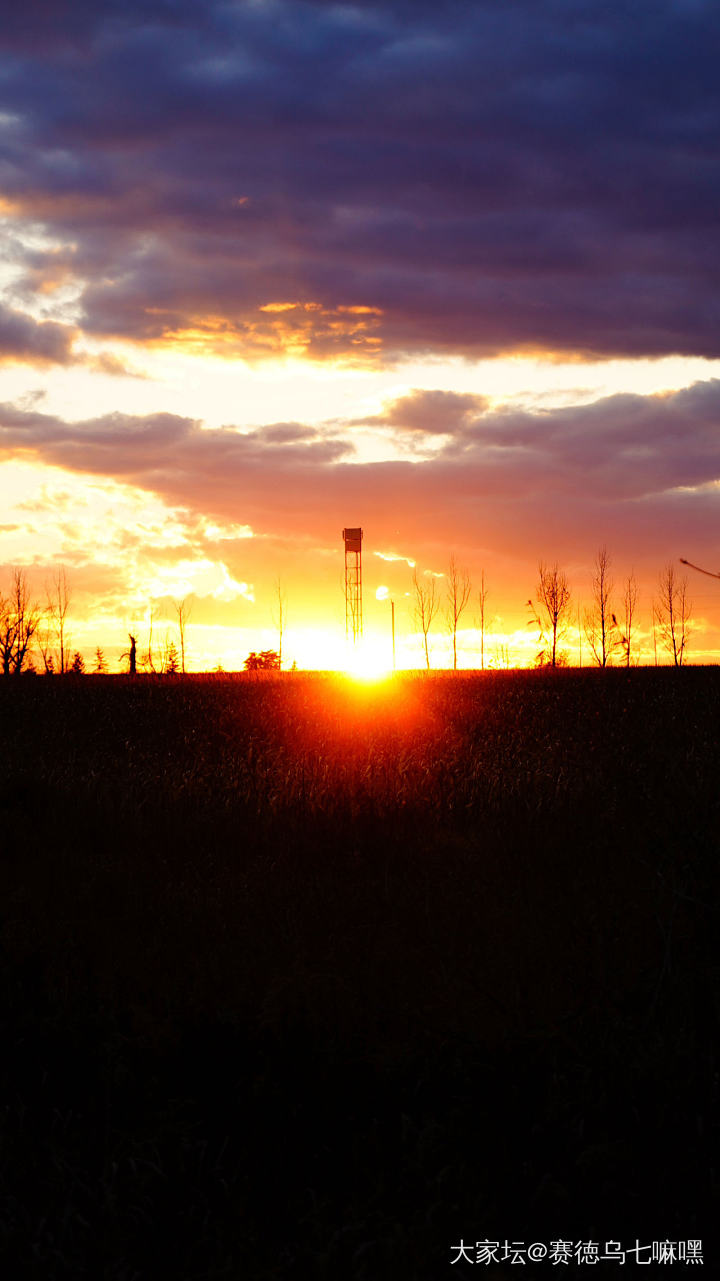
{"x":304,"y":981}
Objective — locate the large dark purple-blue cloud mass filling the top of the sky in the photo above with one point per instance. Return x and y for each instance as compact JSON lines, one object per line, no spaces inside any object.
{"x":482,"y":177}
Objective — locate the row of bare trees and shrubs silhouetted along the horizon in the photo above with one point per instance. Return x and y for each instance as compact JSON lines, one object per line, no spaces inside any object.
{"x":35,"y":637}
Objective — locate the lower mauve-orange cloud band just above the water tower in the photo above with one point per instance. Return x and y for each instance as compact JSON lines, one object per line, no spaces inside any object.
{"x":639,"y":469}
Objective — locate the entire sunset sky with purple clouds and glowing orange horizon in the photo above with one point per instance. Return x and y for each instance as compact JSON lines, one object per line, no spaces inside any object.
{"x":274,"y":268}
